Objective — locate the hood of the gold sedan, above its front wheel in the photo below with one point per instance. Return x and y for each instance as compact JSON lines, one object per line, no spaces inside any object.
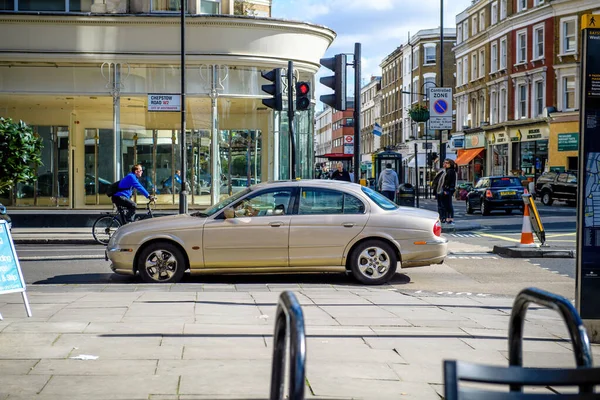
{"x":137,"y":232}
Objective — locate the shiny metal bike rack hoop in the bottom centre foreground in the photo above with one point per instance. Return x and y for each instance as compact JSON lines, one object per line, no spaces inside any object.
{"x":288,"y":319}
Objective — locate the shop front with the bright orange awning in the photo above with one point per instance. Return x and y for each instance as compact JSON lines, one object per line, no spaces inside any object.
{"x":470,"y":161}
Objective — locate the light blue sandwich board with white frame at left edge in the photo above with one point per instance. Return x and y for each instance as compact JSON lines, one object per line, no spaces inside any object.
{"x":11,"y":277}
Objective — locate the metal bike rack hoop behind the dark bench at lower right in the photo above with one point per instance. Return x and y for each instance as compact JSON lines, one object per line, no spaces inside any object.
{"x":579,"y":337}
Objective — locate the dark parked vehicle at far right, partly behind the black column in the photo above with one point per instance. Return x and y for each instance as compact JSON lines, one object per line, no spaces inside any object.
{"x":552,"y":186}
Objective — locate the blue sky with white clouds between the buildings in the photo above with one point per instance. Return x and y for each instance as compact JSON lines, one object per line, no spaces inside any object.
{"x":379,"y":25}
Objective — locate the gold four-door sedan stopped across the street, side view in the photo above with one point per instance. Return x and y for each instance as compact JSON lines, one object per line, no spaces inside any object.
{"x":285,"y":226}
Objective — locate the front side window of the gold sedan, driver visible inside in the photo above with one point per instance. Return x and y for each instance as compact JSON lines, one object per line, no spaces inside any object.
{"x":265,"y":203}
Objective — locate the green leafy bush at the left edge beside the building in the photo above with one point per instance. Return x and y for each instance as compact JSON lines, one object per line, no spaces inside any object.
{"x":20,"y":153}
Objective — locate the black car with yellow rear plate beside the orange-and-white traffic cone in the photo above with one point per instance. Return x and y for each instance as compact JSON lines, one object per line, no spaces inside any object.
{"x":493,"y":193}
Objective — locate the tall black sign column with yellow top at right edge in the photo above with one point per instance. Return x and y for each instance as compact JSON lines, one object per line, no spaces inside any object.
{"x":588,"y":215}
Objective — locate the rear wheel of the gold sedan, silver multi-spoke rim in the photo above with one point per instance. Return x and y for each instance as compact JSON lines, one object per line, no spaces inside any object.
{"x":373,"y":262}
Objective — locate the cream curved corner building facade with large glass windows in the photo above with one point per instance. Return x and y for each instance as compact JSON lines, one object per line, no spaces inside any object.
{"x":102,"y":90}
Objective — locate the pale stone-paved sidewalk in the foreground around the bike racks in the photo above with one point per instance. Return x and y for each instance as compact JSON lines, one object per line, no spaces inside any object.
{"x":200,"y":341}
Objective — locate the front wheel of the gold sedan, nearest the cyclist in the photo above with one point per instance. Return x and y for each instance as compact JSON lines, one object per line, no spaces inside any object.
{"x":161,"y":263}
